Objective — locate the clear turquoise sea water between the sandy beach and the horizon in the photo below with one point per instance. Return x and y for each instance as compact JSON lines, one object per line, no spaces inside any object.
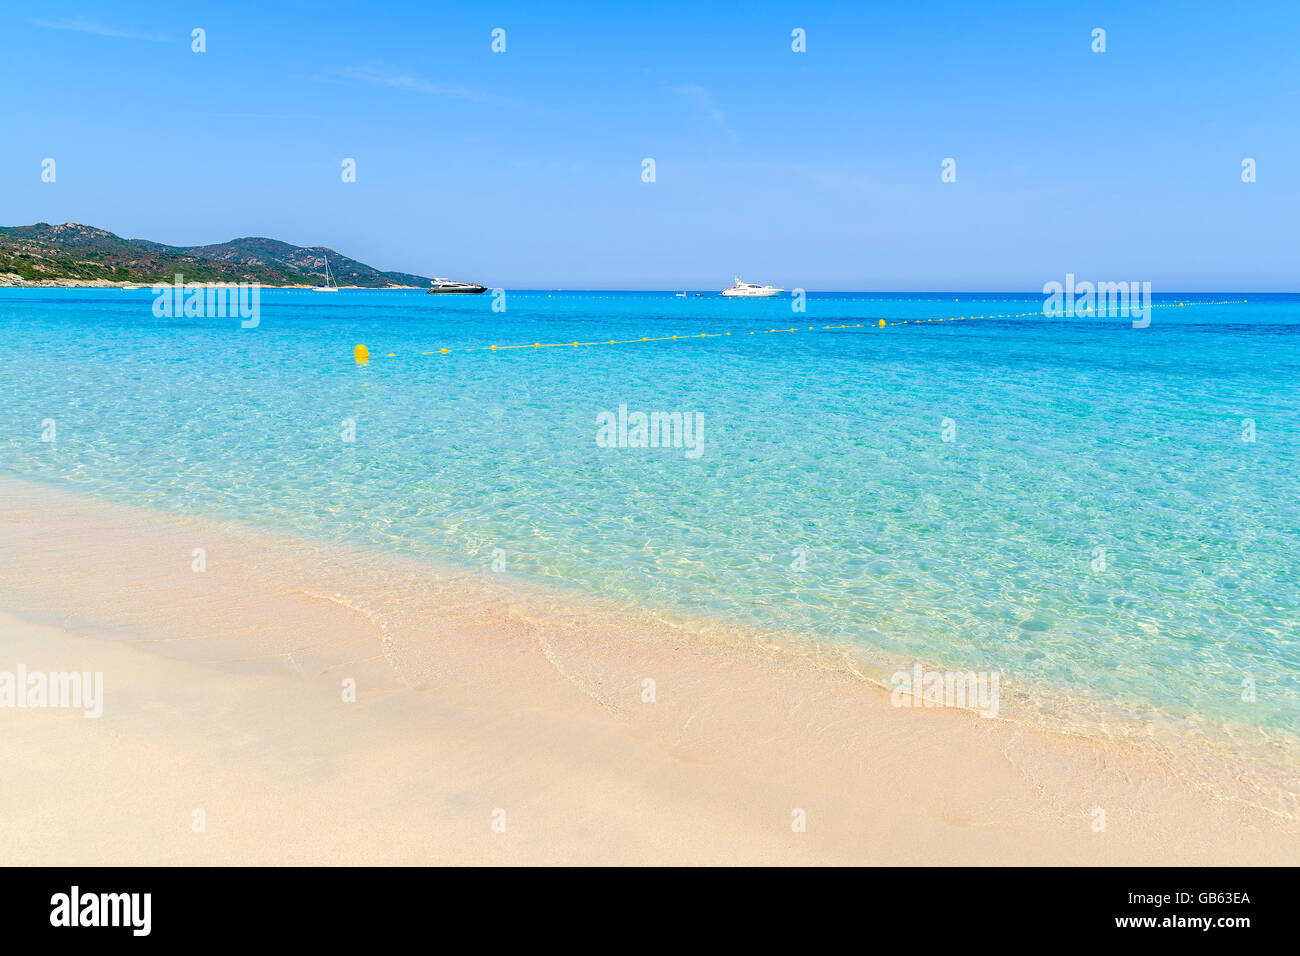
{"x":1099,"y":524}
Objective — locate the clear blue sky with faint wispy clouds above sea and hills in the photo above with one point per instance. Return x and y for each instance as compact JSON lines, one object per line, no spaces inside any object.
{"x":817,"y":170}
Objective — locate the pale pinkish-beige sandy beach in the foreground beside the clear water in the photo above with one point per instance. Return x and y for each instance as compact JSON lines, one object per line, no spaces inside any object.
{"x":223,"y":693}
